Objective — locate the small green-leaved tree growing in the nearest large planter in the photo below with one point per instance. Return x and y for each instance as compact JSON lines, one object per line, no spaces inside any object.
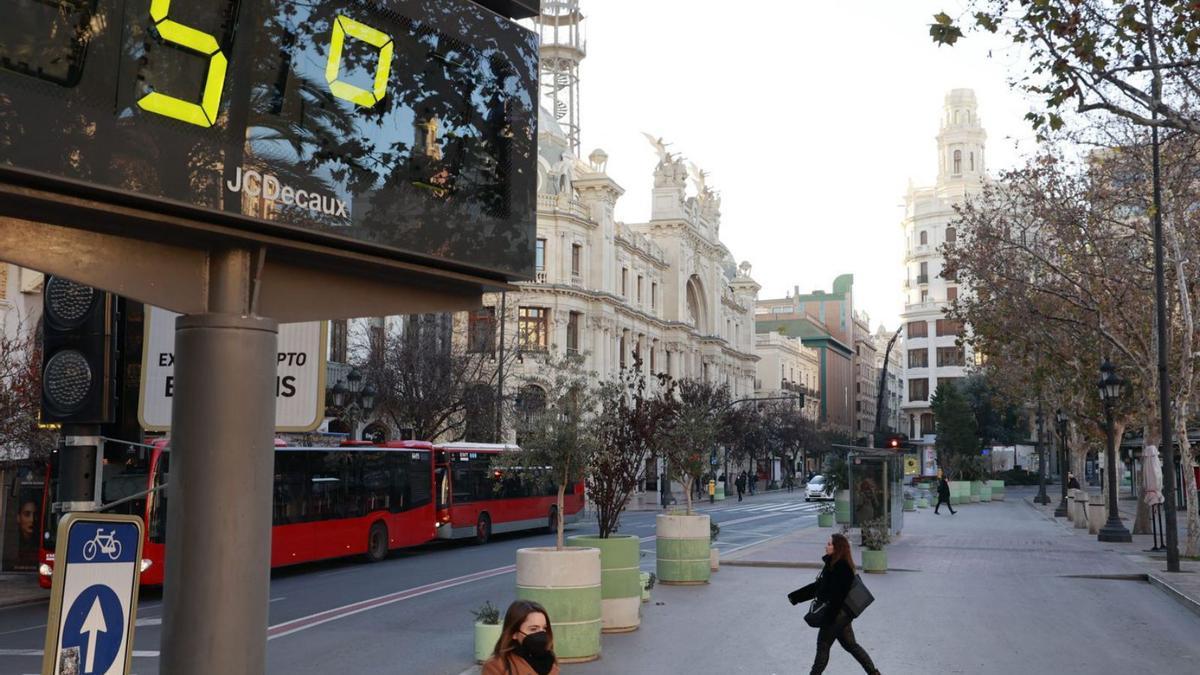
{"x":560,"y":435}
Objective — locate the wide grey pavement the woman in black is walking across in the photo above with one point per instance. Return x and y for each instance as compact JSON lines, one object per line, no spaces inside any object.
{"x":994,"y":590}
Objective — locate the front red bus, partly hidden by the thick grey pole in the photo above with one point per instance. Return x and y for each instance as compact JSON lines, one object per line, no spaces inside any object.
{"x":329,"y":503}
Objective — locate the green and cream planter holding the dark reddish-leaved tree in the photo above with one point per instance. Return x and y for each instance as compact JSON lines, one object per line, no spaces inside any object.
{"x":621,"y":589}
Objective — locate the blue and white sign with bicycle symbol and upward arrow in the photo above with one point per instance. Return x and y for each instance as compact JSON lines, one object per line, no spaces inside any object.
{"x":94,"y":595}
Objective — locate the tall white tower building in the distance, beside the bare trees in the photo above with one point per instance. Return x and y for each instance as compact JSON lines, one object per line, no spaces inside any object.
{"x":934,"y":355}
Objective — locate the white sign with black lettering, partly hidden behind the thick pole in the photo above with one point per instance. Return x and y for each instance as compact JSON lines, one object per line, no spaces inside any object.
{"x":299,"y":380}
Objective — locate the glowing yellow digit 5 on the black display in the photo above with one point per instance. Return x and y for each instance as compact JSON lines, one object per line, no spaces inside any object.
{"x":206,"y":112}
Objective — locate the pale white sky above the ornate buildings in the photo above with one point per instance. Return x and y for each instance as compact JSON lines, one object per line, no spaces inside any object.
{"x":811,"y":117}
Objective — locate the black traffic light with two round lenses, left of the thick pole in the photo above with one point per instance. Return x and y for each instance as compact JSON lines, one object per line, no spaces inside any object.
{"x":79,"y":354}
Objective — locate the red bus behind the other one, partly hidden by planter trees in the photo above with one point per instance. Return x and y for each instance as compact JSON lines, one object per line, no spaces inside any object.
{"x":471,"y":505}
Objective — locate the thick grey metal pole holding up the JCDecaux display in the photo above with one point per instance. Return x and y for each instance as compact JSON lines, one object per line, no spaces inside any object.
{"x":219,"y":517}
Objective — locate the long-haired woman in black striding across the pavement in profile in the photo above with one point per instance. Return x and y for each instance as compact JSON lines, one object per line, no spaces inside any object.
{"x":832,"y":587}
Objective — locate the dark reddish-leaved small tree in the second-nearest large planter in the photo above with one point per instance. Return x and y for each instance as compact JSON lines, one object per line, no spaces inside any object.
{"x":628,"y":421}
